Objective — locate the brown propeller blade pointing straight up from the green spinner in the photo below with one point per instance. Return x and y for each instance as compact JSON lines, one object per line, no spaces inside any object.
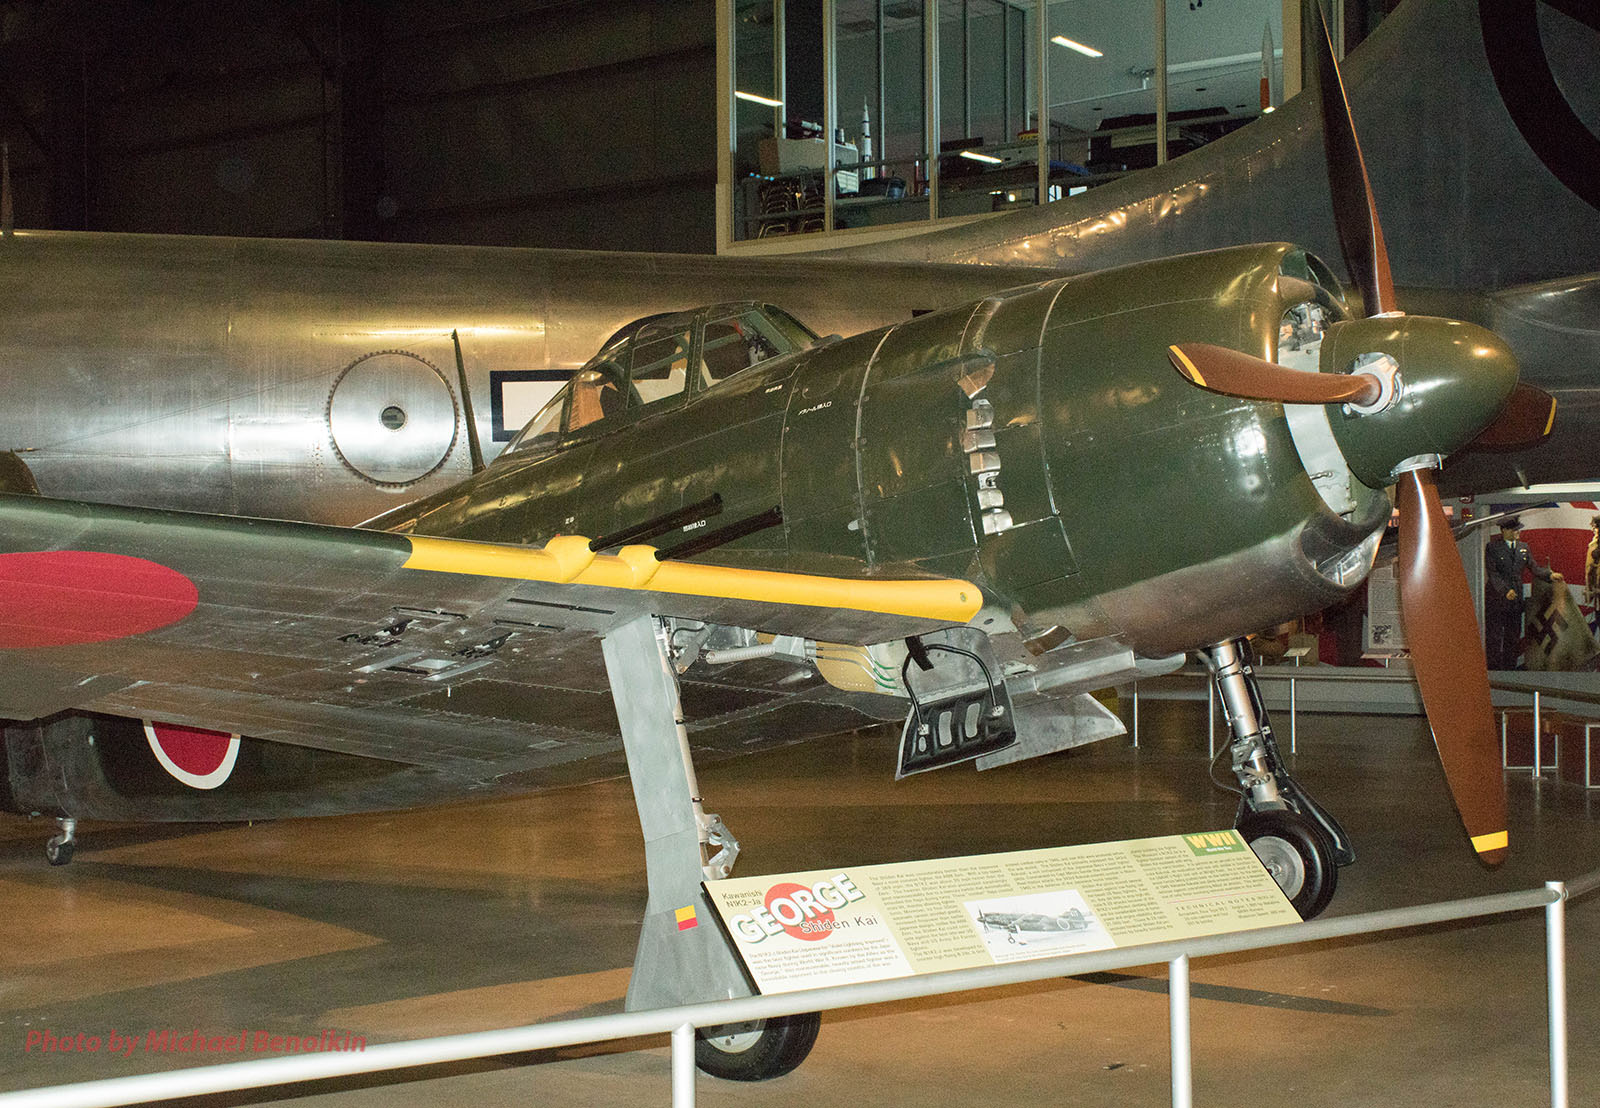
{"x":1354,"y":211}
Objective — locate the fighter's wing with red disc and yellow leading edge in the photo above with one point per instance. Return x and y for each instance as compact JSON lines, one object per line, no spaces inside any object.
{"x":465,"y":660}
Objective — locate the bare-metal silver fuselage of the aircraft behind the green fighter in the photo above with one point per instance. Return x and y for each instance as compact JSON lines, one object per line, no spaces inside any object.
{"x":319,"y":380}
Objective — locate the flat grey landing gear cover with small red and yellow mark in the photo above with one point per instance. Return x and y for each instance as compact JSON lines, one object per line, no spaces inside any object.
{"x":682,"y":955}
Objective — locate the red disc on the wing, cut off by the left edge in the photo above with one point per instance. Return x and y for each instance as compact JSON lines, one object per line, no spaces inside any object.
{"x":68,"y":598}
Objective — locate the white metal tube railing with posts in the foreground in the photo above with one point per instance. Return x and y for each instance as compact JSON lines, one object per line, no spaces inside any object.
{"x":682,"y":1022}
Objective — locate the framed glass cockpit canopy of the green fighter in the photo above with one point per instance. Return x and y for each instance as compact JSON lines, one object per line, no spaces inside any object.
{"x":663,"y":359}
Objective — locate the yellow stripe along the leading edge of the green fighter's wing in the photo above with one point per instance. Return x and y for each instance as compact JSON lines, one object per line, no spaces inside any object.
{"x":569,"y":561}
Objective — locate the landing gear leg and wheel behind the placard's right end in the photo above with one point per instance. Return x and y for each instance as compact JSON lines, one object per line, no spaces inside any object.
{"x":1297,"y":840}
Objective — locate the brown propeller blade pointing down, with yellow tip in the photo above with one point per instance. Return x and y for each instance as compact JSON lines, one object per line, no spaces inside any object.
{"x":1447,"y":654}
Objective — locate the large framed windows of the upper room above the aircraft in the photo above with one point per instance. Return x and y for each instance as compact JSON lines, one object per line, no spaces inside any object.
{"x":935,"y":103}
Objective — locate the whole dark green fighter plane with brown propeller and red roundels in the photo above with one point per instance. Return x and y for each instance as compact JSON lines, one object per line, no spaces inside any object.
{"x":967,"y":521}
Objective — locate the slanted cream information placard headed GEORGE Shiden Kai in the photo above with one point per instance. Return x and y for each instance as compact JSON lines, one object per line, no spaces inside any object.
{"x":873,"y":923}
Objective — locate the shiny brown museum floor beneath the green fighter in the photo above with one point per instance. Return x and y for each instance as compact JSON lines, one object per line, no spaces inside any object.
{"x":516,"y":912}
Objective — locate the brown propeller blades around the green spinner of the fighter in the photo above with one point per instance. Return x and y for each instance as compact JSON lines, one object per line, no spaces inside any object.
{"x":1436,"y":601}
